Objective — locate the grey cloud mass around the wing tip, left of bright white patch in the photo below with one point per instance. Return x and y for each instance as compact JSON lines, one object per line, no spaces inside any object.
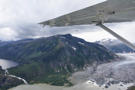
{"x":19,"y":18}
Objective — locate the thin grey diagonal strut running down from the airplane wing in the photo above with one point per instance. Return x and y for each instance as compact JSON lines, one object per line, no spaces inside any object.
{"x":116,"y":35}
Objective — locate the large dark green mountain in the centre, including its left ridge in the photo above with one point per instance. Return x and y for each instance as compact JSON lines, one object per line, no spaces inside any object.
{"x":53,"y":59}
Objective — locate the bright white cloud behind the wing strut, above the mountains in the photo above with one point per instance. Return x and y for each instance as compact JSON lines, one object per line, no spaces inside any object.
{"x":126,"y":30}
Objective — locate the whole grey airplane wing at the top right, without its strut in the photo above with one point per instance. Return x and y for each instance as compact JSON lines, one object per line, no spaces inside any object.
{"x":104,"y":12}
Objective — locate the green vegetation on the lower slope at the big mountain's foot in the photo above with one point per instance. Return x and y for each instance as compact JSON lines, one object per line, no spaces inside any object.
{"x":38,"y":72}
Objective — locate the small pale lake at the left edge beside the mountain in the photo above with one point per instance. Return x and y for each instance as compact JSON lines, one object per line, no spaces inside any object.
{"x":6,"y":64}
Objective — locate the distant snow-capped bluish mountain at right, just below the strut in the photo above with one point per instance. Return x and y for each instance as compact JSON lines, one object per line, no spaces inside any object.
{"x":115,"y":46}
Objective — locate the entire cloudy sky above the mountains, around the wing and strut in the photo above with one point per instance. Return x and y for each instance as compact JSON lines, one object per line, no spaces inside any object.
{"x":19,"y":18}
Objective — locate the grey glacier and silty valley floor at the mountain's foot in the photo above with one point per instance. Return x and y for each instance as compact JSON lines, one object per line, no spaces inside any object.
{"x":85,"y":80}
